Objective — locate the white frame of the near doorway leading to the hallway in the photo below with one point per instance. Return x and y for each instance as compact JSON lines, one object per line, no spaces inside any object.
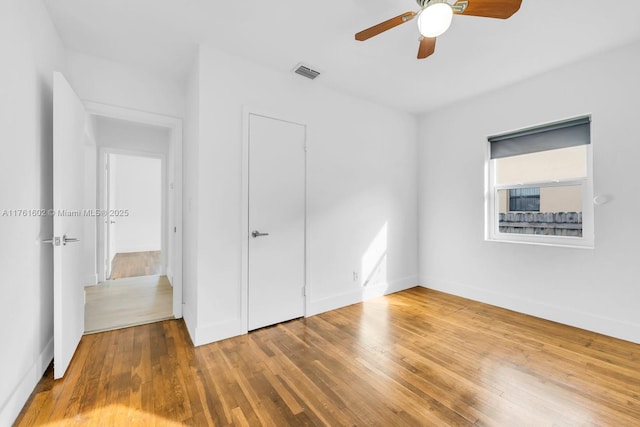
{"x":174,"y":184}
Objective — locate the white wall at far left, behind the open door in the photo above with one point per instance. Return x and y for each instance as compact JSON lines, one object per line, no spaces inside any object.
{"x":31,"y":50}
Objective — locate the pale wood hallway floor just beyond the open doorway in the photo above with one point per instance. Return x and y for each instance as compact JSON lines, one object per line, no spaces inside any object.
{"x":126,"y":302}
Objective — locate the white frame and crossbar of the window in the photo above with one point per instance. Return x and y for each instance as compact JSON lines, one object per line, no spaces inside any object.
{"x":492,"y":208}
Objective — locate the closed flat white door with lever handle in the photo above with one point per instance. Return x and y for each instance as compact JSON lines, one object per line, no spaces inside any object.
{"x":276,"y":221}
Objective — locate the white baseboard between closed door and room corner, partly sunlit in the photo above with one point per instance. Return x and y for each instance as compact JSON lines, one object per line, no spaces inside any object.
{"x":359,"y":295}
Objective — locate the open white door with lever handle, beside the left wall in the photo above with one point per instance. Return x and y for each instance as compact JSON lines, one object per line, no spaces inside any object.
{"x":69,"y":120}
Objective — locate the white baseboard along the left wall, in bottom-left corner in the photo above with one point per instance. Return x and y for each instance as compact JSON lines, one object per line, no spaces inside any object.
{"x":11,"y":408}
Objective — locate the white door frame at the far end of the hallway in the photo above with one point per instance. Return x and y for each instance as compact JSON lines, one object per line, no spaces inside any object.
{"x":103,"y":195}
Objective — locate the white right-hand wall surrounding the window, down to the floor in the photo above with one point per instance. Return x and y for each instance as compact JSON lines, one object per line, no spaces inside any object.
{"x":592,"y":289}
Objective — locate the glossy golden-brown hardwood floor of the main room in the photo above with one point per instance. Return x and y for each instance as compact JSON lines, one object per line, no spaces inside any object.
{"x":415,"y":358}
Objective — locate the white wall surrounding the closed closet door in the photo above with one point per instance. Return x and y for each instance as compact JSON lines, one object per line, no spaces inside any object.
{"x":361,"y":167}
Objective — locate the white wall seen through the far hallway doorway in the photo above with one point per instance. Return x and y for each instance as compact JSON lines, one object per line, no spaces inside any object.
{"x":137,"y":185}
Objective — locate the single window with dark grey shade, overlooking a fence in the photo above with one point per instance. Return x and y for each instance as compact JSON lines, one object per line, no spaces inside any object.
{"x":540,"y":185}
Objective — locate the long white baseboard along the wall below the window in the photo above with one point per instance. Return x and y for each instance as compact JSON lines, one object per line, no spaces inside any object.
{"x":616,"y":328}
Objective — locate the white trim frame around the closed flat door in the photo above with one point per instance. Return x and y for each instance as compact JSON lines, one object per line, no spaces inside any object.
{"x":287,"y":117}
